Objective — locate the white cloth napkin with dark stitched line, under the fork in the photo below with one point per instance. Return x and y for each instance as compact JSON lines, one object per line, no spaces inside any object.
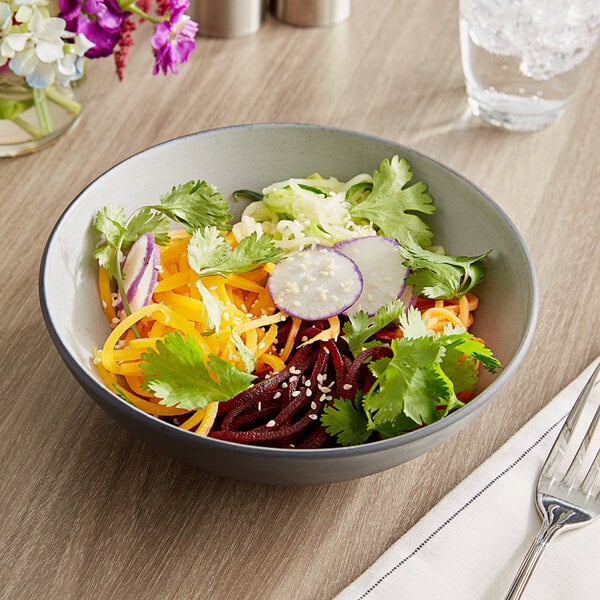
{"x":470,"y":545}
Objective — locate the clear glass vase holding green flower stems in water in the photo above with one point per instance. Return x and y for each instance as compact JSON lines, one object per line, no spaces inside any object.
{"x":31,"y":118}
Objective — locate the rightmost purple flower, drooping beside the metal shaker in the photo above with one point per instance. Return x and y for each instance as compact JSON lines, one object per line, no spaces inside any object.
{"x":174,"y":40}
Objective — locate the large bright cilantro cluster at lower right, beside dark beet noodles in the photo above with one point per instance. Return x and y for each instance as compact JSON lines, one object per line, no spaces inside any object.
{"x":417,"y":385}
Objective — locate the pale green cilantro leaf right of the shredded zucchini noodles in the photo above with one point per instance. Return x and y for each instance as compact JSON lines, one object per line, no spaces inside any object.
{"x":392,"y":204}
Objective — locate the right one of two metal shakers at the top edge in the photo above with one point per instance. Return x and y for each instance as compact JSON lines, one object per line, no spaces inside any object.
{"x":311,"y":13}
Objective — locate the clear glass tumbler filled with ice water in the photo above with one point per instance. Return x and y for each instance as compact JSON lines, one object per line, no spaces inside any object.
{"x":521,"y":58}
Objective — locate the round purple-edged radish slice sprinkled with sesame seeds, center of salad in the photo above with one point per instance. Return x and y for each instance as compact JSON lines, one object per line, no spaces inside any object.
{"x":315,"y":283}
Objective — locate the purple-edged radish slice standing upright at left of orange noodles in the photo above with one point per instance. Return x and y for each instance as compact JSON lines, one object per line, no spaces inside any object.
{"x":140,"y":271}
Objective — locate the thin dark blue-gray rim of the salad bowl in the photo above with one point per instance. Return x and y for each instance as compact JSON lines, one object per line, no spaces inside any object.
{"x":96,"y":390}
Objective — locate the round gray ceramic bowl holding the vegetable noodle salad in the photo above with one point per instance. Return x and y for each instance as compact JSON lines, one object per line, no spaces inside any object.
{"x":466,"y":222}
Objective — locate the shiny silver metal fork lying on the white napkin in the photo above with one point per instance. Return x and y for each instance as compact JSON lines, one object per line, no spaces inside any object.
{"x":565,"y":498}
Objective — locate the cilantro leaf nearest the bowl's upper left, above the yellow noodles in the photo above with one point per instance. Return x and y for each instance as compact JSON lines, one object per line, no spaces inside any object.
{"x":196,"y":204}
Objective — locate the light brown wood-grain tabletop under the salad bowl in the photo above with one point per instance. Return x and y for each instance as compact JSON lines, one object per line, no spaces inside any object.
{"x":88,"y":511}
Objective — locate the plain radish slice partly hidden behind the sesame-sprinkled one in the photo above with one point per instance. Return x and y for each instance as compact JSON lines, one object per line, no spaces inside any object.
{"x":380,"y":263}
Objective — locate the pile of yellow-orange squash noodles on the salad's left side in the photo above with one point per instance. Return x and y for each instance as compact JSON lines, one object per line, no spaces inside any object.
{"x":177,"y":306}
